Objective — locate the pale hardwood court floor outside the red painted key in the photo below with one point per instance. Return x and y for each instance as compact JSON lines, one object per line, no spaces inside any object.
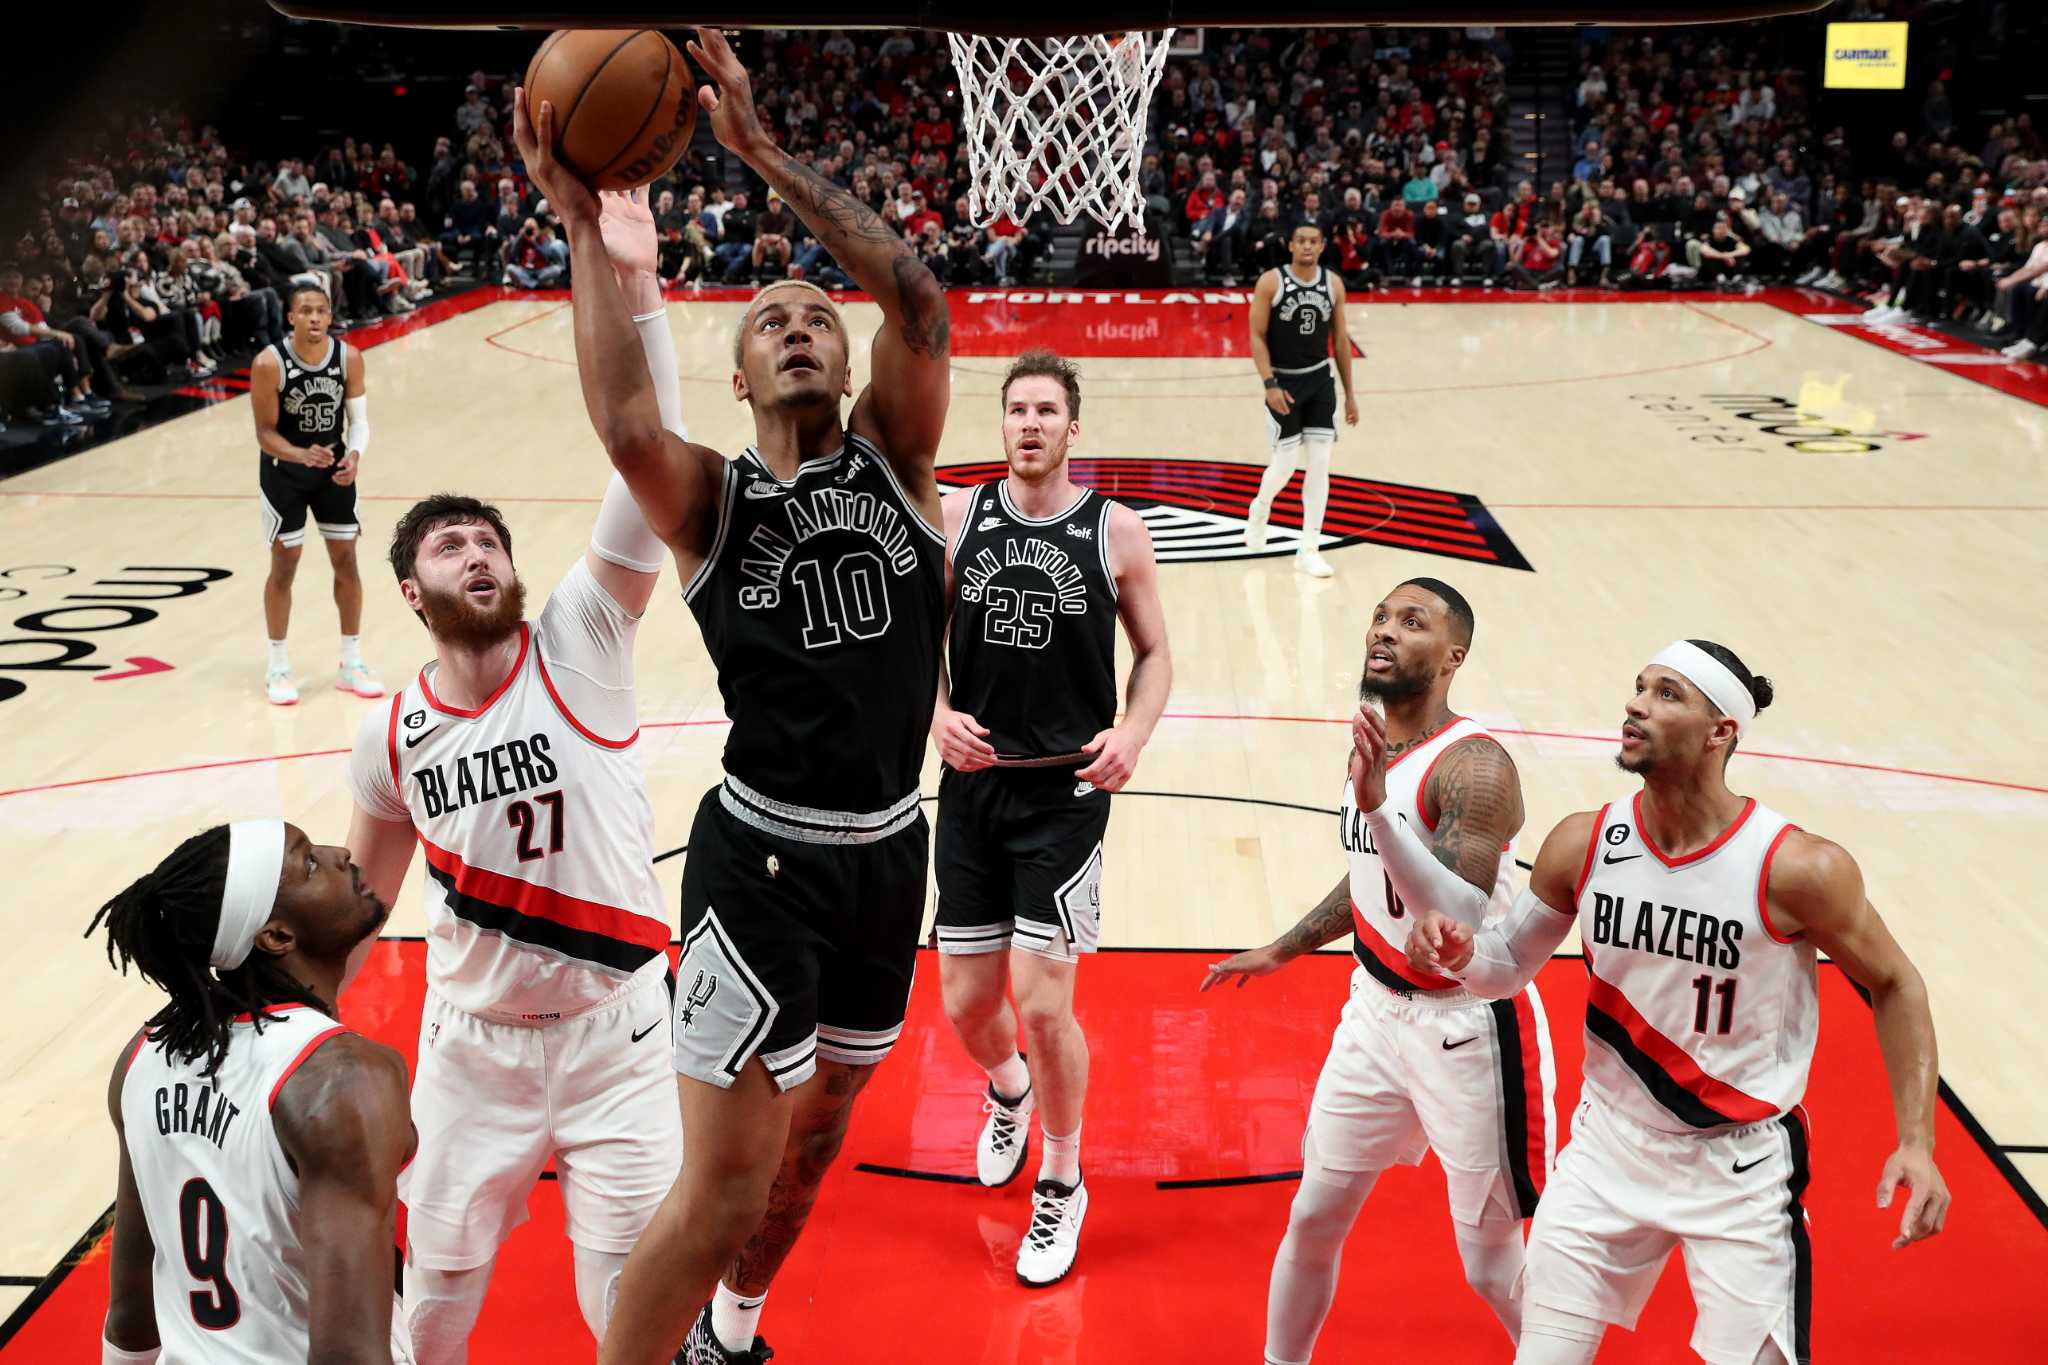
{"x":1594,"y":476}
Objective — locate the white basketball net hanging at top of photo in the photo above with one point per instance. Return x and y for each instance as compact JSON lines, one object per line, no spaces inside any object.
{"x":1058,"y":124}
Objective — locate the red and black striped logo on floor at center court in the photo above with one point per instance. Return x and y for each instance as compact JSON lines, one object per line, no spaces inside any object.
{"x":1199,"y":509}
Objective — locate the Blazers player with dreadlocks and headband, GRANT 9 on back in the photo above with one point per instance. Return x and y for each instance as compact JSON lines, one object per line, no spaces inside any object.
{"x":261,"y":1141}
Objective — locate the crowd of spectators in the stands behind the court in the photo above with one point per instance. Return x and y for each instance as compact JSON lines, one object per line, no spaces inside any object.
{"x":163,"y":251}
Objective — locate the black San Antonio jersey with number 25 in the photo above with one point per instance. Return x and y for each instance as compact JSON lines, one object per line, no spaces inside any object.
{"x":1033,"y":646}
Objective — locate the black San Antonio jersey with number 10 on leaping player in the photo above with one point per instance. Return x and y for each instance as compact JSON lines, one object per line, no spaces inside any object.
{"x":822,"y":605}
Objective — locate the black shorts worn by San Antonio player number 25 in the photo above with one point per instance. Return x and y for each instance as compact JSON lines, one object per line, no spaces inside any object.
{"x":1021,"y":863}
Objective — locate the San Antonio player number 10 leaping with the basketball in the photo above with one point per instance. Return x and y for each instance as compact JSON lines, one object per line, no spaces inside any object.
{"x":814,"y":566}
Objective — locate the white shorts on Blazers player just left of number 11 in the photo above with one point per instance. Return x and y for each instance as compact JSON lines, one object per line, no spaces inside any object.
{"x":1469,"y":1080}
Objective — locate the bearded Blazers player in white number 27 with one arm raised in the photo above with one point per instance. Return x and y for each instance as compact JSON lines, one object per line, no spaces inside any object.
{"x":513,"y":766}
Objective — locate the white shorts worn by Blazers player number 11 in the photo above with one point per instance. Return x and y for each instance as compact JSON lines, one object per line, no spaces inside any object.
{"x":1625,"y":1196}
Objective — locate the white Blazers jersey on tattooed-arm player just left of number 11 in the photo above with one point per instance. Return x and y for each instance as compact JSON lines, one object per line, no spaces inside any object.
{"x":1377,"y":916}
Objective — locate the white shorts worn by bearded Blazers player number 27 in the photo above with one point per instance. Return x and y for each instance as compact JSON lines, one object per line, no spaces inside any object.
{"x":497,"y":1102}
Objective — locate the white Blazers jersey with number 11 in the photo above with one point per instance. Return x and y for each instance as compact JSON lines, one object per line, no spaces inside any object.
{"x":1699,"y":1014}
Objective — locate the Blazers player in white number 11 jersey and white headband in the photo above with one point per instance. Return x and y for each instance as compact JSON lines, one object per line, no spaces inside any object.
{"x":1701,"y":914}
